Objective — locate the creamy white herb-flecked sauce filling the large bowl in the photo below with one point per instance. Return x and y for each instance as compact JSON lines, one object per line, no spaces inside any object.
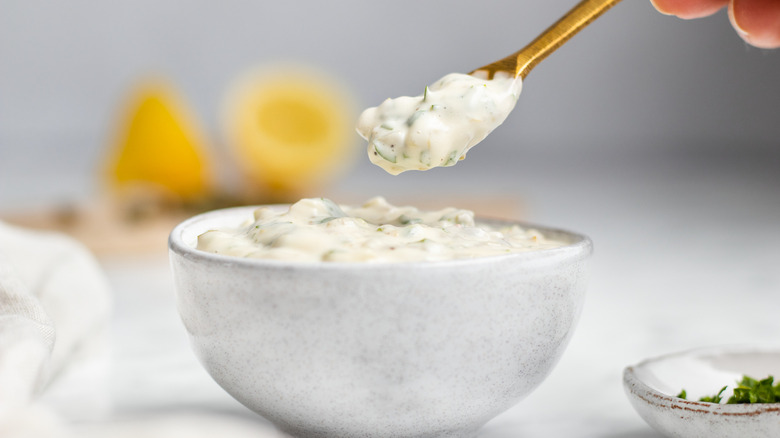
{"x":319,"y":230}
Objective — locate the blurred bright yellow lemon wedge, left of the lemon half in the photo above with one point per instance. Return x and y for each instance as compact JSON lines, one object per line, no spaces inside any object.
{"x":159,"y":146}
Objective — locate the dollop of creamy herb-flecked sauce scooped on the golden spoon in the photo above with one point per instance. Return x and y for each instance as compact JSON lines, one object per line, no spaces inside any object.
{"x":438,"y":127}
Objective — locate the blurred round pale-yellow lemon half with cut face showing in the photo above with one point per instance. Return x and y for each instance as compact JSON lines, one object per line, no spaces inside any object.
{"x":290,"y":128}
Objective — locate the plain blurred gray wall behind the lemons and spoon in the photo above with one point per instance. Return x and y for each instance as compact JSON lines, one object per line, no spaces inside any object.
{"x":636,"y":83}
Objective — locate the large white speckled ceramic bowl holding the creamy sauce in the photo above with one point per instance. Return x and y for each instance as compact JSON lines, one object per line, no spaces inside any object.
{"x":432,"y":349}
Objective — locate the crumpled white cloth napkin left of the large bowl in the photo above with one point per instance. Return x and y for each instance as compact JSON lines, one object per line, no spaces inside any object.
{"x":54,"y":319}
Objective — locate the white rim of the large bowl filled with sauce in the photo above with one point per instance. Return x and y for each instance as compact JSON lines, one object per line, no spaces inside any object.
{"x":581,"y":246}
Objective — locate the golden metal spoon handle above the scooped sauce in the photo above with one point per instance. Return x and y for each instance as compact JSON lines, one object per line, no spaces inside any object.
{"x":520,"y":64}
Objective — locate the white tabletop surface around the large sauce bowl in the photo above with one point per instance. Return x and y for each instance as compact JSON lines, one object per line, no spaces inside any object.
{"x":687,"y":255}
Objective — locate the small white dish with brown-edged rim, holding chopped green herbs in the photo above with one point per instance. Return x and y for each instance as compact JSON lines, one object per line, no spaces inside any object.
{"x":652,"y":387}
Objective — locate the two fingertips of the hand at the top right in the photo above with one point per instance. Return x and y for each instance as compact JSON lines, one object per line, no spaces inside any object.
{"x":756,"y":21}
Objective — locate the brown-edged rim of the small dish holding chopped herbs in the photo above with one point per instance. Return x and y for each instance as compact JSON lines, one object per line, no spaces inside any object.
{"x":636,"y":387}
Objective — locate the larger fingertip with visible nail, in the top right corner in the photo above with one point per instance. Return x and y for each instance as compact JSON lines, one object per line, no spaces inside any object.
{"x":757,"y":21}
